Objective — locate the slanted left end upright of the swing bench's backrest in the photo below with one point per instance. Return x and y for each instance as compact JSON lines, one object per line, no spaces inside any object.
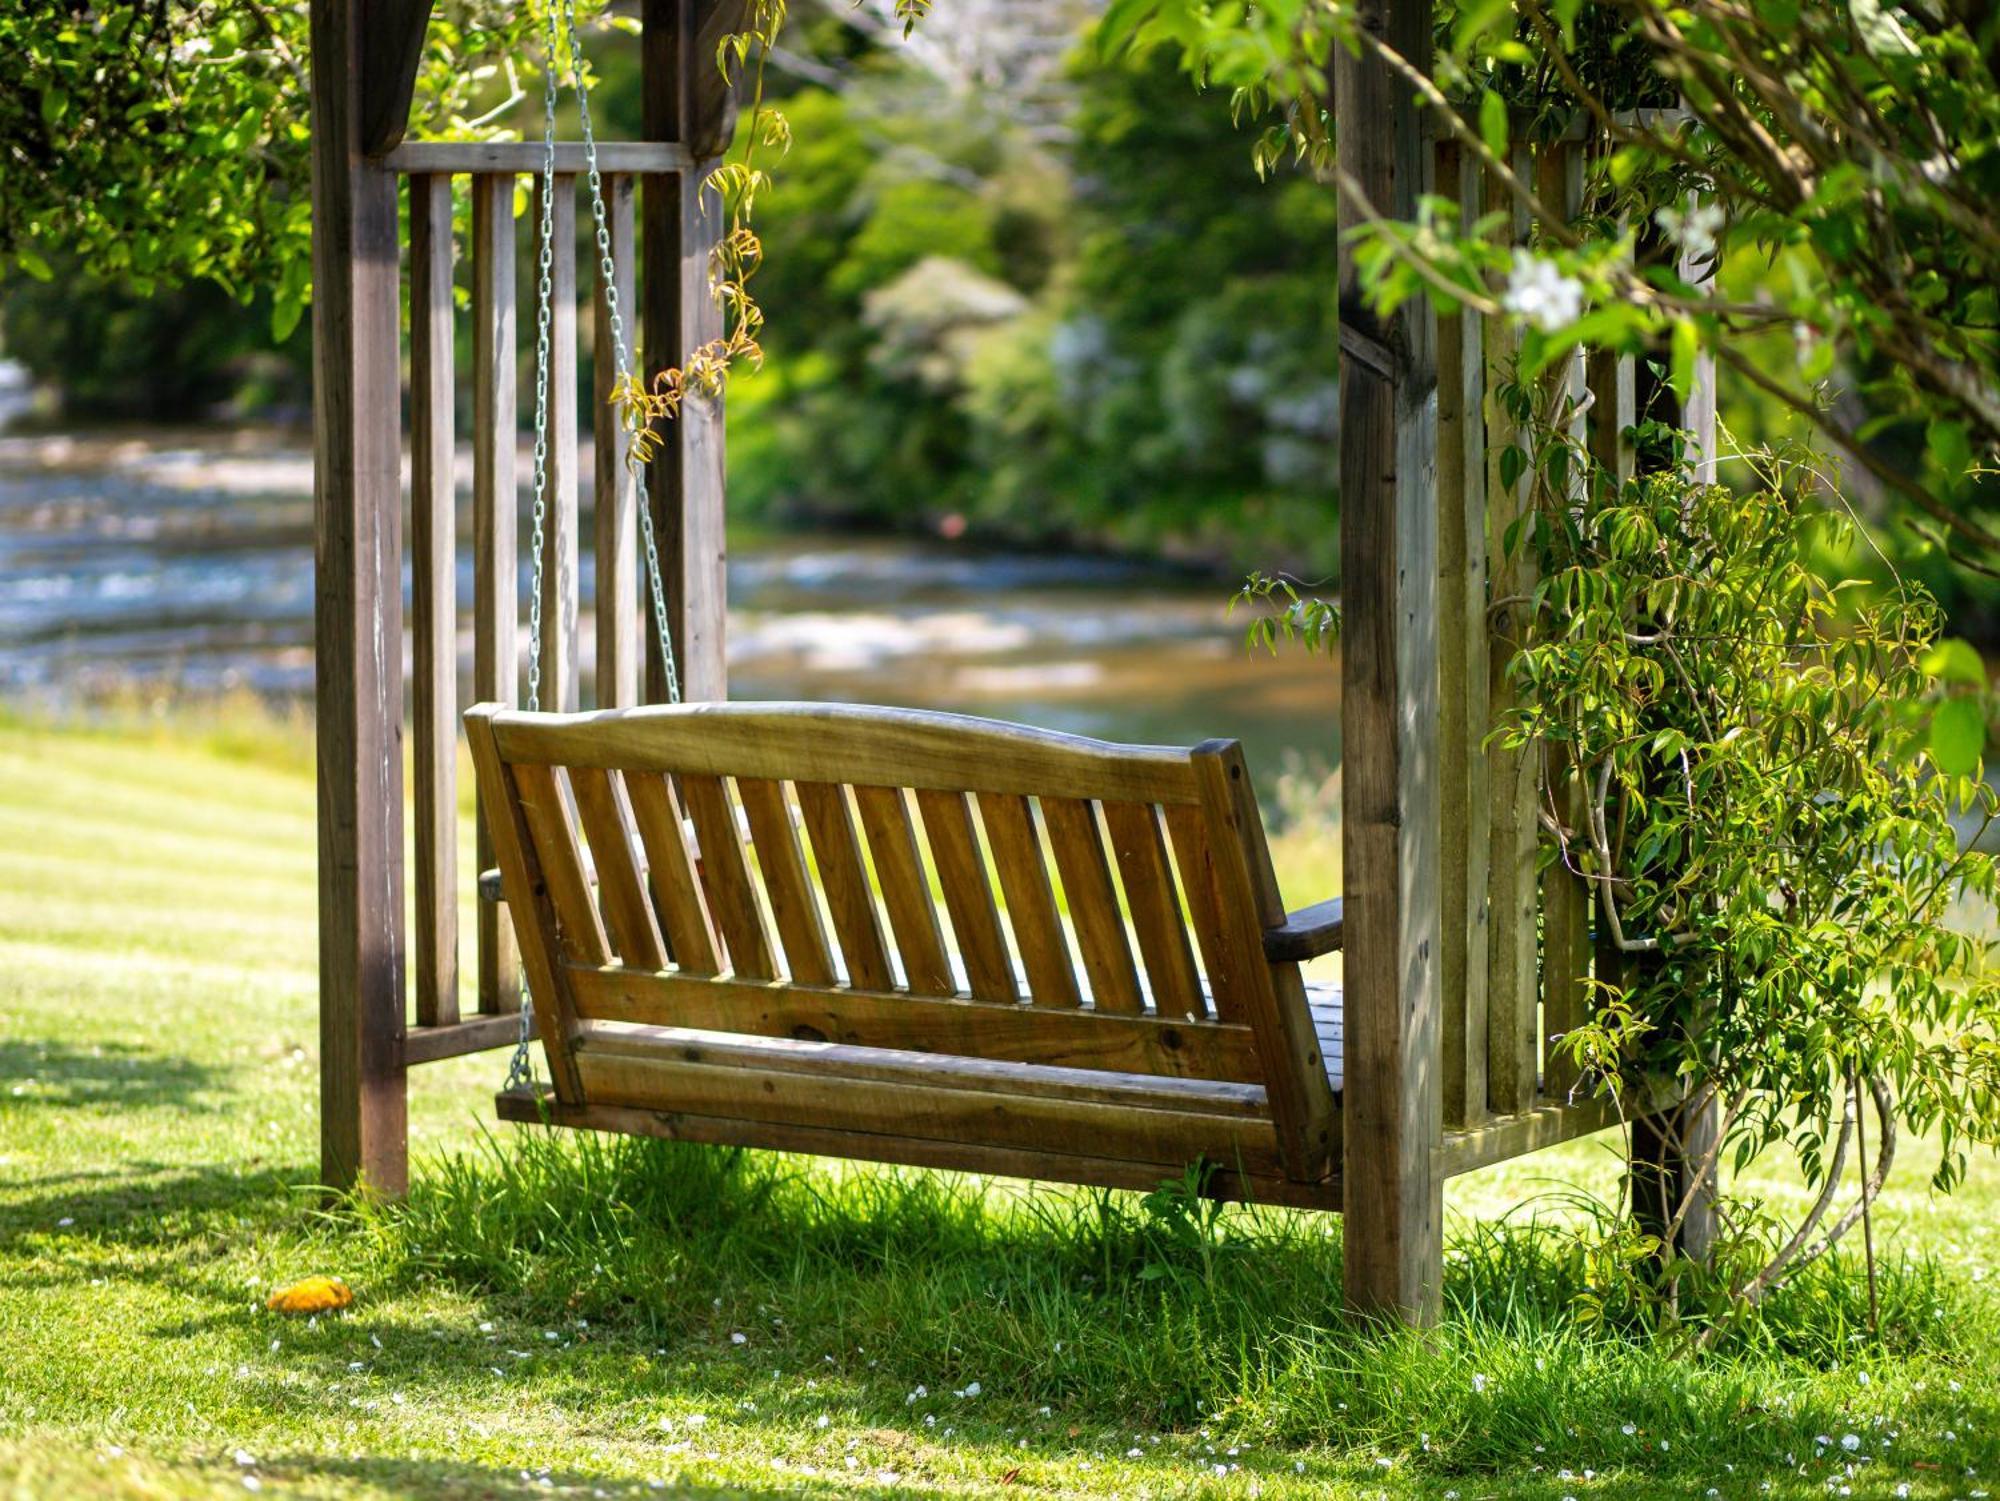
{"x":529,"y":894}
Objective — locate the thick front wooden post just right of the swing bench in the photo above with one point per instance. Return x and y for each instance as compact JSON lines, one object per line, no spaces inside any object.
{"x":1389,"y":537}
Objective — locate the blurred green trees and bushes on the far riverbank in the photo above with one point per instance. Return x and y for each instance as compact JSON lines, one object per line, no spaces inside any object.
{"x":1039,"y":303}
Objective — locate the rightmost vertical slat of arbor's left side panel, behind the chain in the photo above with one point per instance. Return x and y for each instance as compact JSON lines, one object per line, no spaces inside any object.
{"x":617,"y":483}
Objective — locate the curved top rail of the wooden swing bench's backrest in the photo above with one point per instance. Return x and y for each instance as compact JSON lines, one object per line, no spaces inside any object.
{"x":857,"y":745}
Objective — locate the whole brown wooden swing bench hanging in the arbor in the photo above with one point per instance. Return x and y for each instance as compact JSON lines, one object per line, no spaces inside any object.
{"x":687,"y":986}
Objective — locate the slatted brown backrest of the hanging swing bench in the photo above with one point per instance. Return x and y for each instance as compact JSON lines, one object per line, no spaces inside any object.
{"x":899,"y":880}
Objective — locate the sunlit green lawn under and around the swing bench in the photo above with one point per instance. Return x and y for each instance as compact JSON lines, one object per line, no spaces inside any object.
{"x":587,"y":1316}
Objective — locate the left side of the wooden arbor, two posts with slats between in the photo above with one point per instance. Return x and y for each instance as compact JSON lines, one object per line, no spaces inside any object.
{"x":365,"y":57}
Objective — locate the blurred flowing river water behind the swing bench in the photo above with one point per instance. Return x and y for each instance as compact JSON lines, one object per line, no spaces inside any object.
{"x":181,"y":563}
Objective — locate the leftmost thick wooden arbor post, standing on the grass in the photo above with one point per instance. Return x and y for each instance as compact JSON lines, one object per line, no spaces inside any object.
{"x":357,"y":493}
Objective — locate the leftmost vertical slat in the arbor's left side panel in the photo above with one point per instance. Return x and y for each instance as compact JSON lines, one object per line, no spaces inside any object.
{"x":433,"y":603}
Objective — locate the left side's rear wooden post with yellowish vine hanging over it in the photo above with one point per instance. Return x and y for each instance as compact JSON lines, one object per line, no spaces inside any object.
{"x":681,"y":223}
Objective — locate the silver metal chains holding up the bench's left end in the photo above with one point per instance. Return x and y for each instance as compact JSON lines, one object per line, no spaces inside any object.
{"x":521,"y":1068}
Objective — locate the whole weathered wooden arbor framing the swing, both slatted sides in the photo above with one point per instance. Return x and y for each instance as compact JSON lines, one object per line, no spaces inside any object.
{"x":1461,"y":962}
